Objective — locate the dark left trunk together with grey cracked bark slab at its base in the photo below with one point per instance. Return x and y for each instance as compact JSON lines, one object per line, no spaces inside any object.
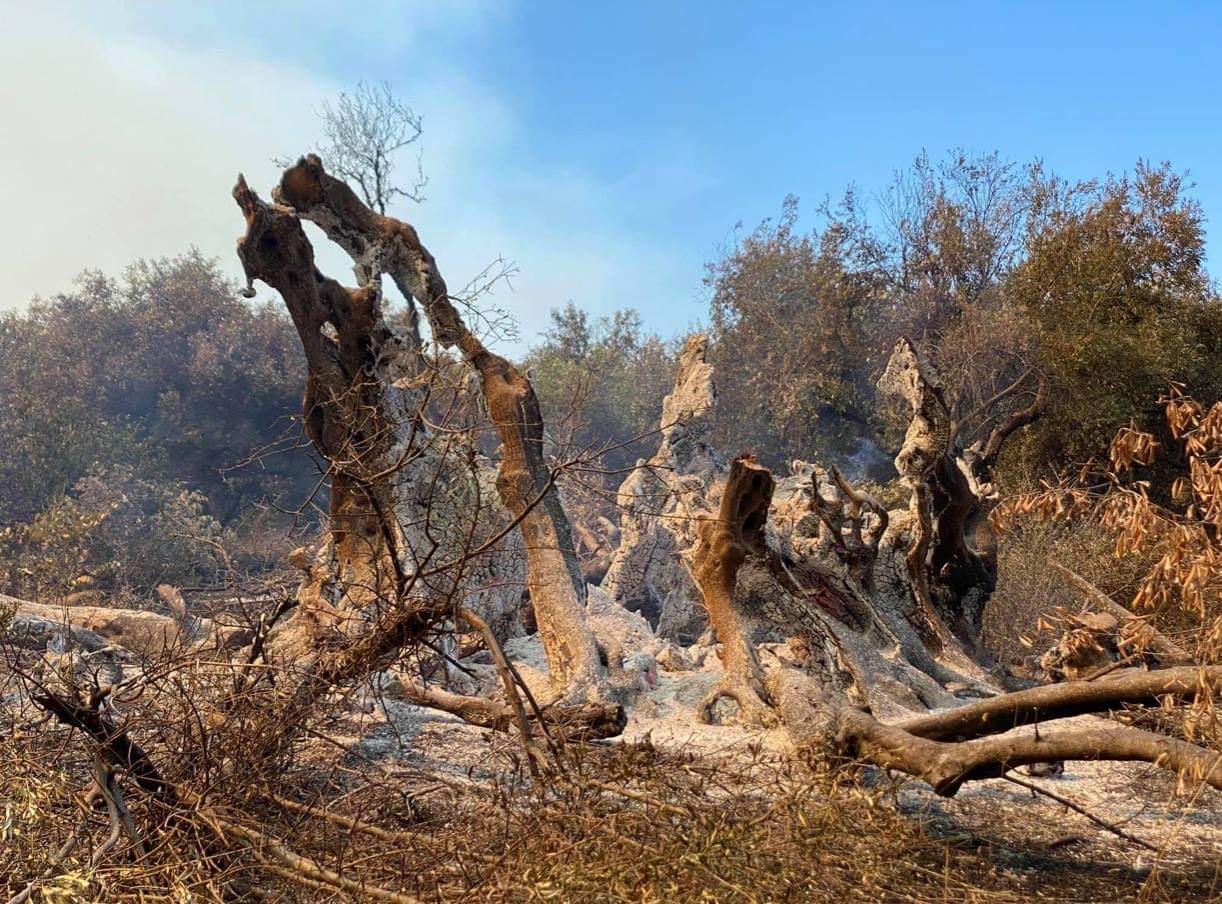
{"x":405,"y":503}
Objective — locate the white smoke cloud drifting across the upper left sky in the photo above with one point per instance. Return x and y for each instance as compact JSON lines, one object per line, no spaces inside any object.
{"x":120,"y":144}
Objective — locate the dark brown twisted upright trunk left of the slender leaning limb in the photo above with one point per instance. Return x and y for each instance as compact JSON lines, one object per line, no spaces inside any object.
{"x":357,"y":415}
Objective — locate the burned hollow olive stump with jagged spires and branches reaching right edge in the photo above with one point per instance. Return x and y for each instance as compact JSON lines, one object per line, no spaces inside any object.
{"x":872,"y":613}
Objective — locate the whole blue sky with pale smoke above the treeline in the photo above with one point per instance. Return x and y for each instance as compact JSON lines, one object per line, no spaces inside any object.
{"x":608,"y":150}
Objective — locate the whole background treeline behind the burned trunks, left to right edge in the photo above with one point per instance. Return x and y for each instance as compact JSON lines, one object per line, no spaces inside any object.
{"x":1006,"y":277}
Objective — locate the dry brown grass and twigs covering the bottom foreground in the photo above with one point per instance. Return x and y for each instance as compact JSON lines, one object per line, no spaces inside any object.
{"x":620,"y":824}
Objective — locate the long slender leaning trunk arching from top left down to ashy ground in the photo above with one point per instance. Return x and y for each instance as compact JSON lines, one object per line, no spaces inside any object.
{"x":381,"y":244}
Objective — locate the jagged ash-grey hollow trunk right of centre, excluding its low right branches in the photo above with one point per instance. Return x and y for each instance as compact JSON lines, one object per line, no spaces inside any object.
{"x":883,"y":607}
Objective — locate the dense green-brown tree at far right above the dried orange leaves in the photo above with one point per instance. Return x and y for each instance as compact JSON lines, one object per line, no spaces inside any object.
{"x":1115,"y":293}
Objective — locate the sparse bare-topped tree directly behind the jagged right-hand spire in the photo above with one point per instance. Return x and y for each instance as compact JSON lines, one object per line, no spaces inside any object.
{"x":940,"y":240}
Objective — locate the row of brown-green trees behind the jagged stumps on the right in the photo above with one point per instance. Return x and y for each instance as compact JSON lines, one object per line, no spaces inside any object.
{"x":1022,"y":289}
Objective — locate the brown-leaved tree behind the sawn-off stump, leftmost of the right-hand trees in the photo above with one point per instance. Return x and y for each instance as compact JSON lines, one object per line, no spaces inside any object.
{"x":791,"y":333}
